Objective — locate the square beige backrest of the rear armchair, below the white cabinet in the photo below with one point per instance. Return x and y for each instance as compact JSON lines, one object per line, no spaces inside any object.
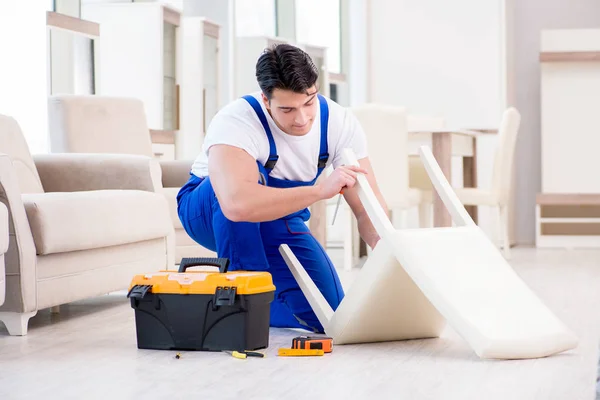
{"x":98,"y":124}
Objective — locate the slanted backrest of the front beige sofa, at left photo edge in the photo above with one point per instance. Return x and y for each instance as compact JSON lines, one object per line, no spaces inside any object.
{"x":13,"y":144}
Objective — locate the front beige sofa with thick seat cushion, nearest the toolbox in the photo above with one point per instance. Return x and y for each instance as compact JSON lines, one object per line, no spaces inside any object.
{"x":80,"y":225}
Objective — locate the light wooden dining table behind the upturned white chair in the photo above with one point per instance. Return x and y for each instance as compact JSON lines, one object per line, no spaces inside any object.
{"x":445,"y":144}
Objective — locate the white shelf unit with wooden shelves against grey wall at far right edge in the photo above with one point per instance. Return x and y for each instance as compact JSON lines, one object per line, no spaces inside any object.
{"x":568,"y":206}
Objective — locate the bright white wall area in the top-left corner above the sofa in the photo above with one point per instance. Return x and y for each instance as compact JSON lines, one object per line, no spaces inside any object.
{"x":23,"y":70}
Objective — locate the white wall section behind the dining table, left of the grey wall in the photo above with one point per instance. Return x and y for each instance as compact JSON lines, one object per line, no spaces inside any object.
{"x":444,"y":59}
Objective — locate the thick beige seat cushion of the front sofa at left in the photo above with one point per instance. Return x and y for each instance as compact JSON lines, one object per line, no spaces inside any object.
{"x":70,"y":221}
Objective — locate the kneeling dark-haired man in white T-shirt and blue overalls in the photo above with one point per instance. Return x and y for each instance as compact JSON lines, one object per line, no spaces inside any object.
{"x":250,"y":188}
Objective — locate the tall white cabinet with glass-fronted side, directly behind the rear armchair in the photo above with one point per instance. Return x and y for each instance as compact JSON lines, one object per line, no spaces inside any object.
{"x":138,"y":57}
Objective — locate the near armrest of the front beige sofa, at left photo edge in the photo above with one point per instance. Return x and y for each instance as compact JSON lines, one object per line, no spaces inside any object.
{"x":20,"y":259}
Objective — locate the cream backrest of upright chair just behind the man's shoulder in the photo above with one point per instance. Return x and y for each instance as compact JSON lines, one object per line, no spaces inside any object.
{"x":387,"y":140}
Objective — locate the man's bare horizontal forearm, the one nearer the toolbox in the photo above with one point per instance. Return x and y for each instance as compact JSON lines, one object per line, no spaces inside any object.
{"x":257,"y":203}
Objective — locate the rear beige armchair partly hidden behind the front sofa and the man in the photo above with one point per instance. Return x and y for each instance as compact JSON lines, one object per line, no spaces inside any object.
{"x":101,"y":124}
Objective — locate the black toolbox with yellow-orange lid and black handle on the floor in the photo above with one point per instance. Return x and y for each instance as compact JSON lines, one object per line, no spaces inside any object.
{"x":202,"y":310}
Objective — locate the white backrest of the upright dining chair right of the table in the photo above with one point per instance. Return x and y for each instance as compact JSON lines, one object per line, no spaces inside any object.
{"x":504,"y":156}
